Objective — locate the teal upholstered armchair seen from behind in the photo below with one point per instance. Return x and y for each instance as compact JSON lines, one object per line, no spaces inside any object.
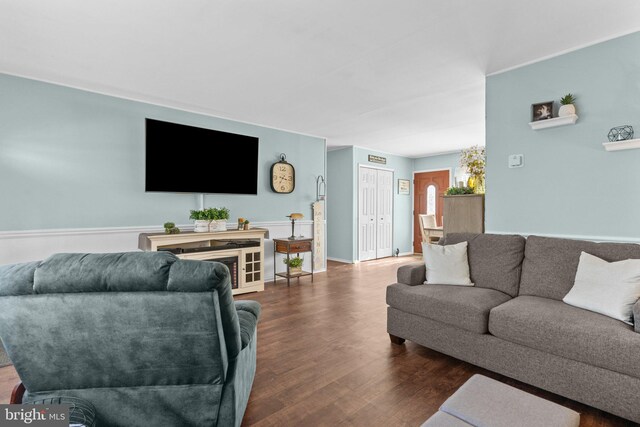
{"x":147,"y":338}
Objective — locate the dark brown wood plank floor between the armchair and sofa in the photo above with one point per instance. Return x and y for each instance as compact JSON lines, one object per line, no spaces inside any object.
{"x":325,"y":359}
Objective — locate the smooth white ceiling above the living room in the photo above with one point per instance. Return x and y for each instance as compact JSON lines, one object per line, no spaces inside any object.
{"x":404,"y":77}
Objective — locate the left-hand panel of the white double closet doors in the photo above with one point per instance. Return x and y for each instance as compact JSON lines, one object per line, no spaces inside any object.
{"x":367,"y":185}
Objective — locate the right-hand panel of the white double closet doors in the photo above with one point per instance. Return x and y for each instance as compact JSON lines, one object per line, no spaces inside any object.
{"x":384,"y":214}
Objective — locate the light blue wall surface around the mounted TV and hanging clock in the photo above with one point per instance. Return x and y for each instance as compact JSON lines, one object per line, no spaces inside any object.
{"x":74,"y":159}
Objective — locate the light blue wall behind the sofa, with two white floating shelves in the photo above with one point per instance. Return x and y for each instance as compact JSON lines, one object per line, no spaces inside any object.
{"x":569,"y":185}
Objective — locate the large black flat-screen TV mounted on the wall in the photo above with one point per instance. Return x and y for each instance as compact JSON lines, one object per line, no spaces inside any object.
{"x":188,"y":159}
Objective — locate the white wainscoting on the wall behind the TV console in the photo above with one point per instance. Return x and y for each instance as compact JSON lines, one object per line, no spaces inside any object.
{"x":34,"y":245}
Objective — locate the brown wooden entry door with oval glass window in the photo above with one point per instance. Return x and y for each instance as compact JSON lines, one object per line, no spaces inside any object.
{"x":428,"y":189}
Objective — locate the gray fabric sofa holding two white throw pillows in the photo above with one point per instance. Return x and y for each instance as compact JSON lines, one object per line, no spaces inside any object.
{"x":513,"y":321}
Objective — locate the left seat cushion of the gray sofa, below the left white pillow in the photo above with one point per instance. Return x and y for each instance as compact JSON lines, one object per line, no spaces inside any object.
{"x":462,"y":306}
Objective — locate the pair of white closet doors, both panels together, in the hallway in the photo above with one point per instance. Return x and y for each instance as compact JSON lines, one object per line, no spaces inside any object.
{"x":375,"y":213}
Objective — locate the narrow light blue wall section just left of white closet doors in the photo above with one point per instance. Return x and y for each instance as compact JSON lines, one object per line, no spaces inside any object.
{"x":340,"y":204}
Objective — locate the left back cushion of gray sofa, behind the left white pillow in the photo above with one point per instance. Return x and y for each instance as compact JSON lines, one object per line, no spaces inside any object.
{"x":495,"y":260}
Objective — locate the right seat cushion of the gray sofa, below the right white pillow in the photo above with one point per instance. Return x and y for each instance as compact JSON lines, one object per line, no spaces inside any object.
{"x":566,"y":331}
